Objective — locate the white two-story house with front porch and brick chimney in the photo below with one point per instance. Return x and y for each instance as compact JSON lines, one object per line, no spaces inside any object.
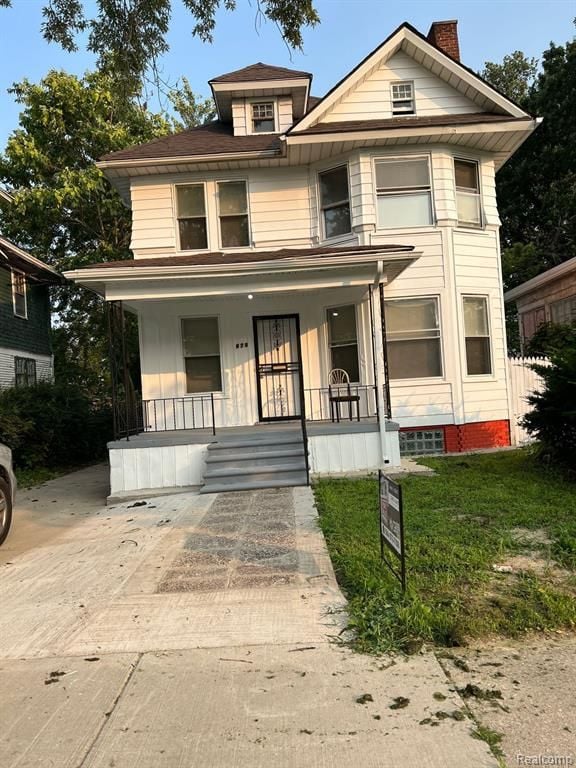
{"x":317,"y":280}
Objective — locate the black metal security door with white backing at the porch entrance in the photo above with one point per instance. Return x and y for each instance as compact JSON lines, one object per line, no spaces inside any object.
{"x":278,"y":367}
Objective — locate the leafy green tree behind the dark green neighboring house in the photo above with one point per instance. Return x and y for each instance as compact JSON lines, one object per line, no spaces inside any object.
{"x":64,"y":210}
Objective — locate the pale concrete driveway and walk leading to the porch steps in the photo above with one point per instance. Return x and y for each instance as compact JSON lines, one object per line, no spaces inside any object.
{"x":195,"y":631}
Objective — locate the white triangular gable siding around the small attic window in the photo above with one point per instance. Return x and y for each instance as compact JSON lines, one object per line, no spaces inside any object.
{"x":371,"y":99}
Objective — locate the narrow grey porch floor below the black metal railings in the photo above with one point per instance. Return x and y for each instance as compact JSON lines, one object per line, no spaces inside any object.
{"x":248,"y":432}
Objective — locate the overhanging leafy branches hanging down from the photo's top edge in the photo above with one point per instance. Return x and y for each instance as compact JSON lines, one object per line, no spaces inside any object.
{"x":129,"y":36}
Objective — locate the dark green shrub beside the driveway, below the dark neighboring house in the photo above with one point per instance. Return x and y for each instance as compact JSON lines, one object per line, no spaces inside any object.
{"x":53,"y":425}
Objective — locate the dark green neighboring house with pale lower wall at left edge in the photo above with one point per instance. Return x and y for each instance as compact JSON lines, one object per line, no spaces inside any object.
{"x":25,"y":347}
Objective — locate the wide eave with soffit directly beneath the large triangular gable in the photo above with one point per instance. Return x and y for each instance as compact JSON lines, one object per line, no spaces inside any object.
{"x":500,"y":138}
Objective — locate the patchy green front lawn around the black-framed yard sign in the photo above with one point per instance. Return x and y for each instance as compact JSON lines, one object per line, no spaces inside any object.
{"x":476,"y":512}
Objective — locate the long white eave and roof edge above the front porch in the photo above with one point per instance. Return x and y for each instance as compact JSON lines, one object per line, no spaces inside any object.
{"x":147,"y":282}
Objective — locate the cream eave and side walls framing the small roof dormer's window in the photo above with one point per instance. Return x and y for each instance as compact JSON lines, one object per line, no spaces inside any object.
{"x":224,"y":93}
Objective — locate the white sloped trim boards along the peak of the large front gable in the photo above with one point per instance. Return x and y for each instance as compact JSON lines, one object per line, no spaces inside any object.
{"x":408,"y":37}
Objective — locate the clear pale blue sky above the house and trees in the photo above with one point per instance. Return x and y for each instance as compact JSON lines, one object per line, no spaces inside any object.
{"x":489,"y":29}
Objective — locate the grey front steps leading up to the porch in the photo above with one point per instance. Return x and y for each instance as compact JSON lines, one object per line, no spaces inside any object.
{"x":270,"y":460}
